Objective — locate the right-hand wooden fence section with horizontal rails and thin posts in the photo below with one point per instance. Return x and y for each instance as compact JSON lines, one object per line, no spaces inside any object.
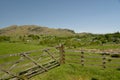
{"x":91,"y":59}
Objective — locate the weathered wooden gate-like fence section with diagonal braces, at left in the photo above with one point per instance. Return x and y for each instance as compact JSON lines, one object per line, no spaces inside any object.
{"x":22,"y":66}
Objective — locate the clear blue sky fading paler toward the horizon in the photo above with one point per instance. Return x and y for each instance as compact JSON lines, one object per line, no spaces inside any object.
{"x":95,"y":16}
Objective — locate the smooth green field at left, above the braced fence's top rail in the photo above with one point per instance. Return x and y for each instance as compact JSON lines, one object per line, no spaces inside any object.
{"x":11,"y":48}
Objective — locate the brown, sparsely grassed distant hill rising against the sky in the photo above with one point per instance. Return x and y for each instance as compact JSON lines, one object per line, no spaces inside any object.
{"x":34,"y":29}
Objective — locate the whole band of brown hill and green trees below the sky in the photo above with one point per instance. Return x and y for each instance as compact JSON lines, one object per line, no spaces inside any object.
{"x":50,"y":36}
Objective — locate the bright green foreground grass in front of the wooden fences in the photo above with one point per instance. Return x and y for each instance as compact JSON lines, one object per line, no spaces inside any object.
{"x":77,"y":72}
